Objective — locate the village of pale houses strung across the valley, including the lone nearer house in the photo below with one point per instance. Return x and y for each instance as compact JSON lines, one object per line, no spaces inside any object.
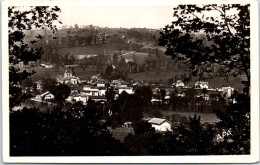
{"x":96,"y":87}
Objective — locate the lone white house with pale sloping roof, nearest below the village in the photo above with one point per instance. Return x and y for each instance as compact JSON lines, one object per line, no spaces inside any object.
{"x":160,"y":124}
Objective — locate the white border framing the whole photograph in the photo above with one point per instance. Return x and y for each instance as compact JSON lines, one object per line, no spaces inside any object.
{"x":253,"y":157}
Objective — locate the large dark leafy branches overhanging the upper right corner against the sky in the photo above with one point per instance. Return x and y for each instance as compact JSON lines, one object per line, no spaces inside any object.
{"x":201,"y":39}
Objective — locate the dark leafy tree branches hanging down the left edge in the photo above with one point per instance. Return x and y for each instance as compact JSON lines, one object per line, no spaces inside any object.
{"x":19,"y":20}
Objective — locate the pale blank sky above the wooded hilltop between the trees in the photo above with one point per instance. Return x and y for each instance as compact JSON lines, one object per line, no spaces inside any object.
{"x":117,"y":16}
